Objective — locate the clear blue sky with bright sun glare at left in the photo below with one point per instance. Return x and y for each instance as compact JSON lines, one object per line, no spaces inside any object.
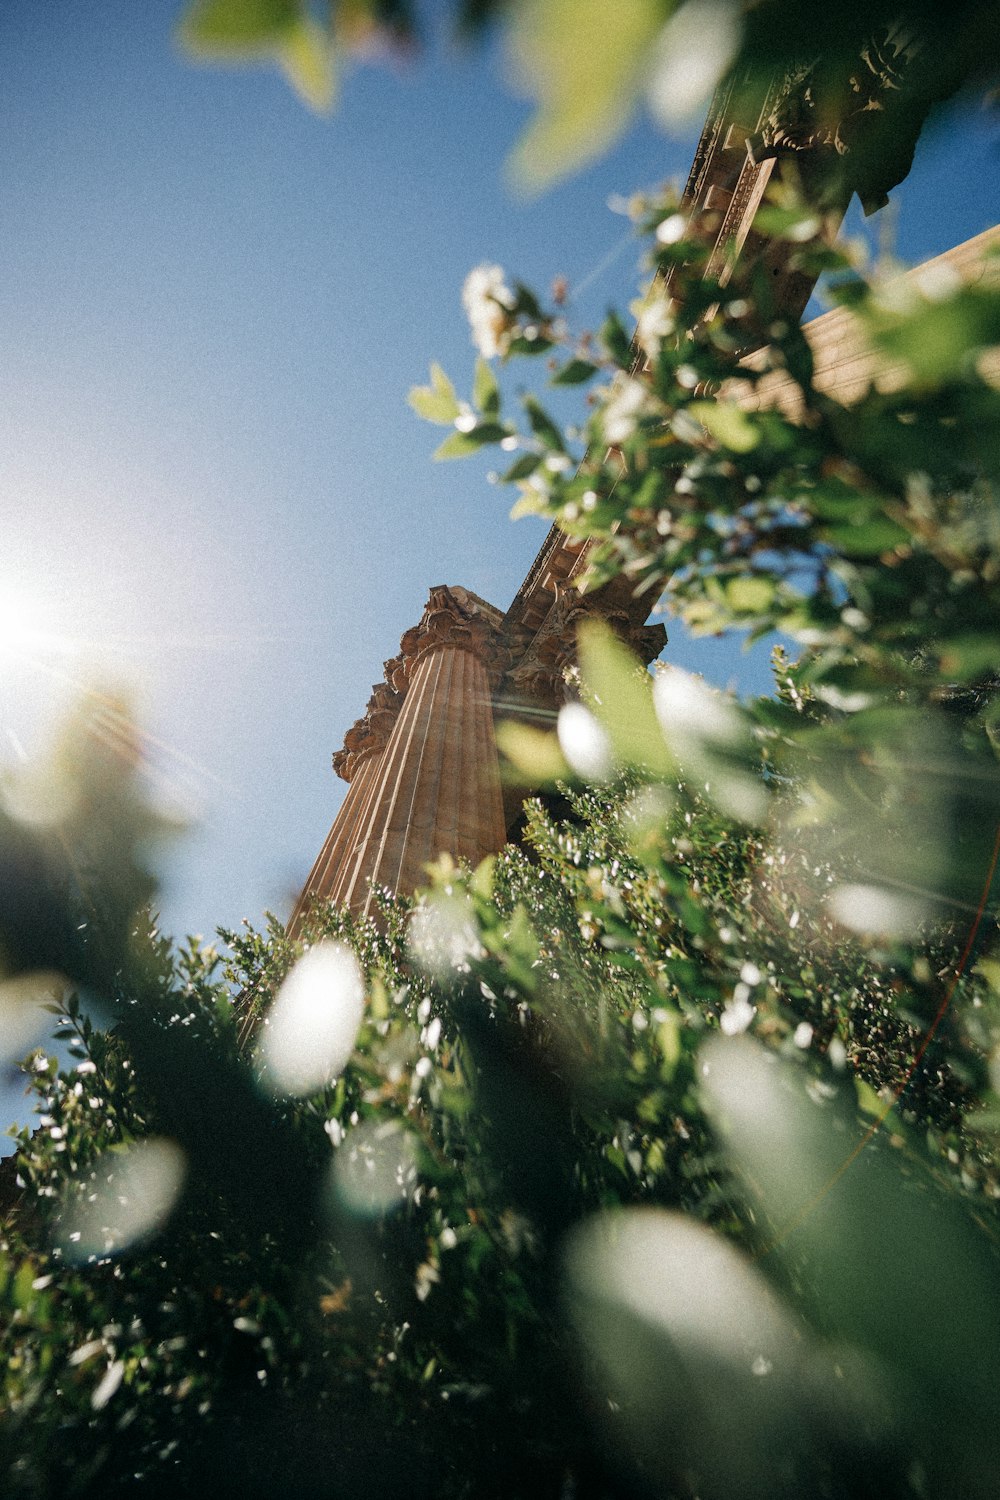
{"x":214,"y":305}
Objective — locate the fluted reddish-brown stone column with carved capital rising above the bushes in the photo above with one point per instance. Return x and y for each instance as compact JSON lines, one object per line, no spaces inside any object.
{"x":436,"y":785}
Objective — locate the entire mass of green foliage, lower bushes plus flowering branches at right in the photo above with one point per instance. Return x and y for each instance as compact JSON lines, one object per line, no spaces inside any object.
{"x":657,"y":1156}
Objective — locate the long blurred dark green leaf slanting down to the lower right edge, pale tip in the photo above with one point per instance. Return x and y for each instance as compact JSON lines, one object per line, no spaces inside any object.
{"x":896,"y":1268}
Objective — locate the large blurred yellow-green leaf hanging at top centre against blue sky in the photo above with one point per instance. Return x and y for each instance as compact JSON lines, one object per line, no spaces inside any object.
{"x":585,"y":67}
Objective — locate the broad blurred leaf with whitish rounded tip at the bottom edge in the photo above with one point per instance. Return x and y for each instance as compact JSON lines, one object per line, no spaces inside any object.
{"x":693,"y":1340}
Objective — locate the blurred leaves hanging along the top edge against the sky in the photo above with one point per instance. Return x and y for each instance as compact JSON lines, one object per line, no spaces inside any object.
{"x":588,"y":71}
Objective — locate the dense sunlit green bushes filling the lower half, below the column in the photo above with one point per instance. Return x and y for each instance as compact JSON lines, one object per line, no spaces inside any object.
{"x":439,"y":1273}
